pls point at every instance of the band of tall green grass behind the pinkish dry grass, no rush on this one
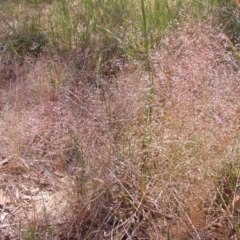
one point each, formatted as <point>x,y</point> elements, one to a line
<point>111,30</point>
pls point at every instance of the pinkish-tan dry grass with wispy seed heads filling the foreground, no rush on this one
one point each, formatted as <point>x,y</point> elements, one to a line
<point>80,161</point>
